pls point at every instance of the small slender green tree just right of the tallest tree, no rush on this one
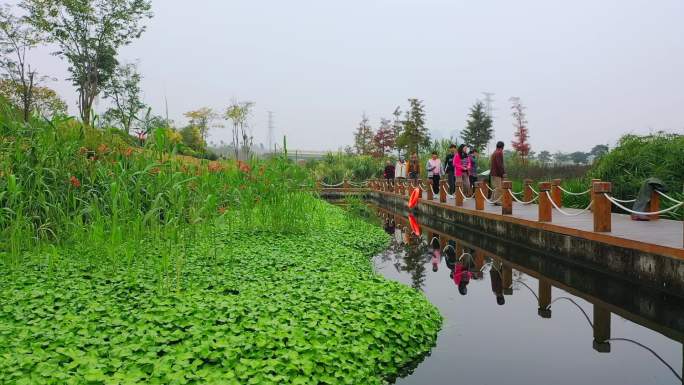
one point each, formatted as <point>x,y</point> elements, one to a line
<point>123,88</point>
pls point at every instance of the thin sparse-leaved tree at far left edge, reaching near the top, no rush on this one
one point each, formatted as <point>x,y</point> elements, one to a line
<point>16,40</point>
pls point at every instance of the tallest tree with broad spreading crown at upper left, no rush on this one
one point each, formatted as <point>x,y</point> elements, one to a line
<point>89,34</point>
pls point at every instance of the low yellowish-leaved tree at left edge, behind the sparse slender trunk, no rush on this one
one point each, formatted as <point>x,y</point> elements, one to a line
<point>44,101</point>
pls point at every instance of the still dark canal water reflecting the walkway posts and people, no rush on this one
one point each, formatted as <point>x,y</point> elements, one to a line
<point>514,317</point>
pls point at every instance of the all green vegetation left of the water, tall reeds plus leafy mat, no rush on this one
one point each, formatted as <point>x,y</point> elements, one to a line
<point>126,265</point>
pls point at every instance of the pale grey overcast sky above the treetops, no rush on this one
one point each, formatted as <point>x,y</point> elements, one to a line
<point>588,71</point>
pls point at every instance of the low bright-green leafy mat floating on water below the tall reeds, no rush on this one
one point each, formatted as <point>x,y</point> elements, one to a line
<point>234,307</point>
